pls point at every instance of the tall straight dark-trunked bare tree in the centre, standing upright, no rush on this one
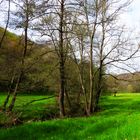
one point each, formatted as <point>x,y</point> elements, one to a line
<point>54,26</point>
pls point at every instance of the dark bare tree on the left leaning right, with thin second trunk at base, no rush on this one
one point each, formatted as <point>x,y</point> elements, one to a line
<point>24,15</point>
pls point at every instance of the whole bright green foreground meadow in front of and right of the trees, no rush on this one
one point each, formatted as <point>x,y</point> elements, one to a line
<point>119,119</point>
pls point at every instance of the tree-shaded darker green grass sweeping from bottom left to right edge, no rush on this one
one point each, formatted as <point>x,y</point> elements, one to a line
<point>112,116</point>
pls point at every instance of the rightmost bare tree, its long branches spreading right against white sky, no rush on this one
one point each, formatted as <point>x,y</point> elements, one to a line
<point>114,46</point>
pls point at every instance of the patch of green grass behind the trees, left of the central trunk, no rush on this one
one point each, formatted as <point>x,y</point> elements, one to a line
<point>34,111</point>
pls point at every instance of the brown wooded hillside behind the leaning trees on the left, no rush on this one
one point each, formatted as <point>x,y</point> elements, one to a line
<point>36,77</point>
